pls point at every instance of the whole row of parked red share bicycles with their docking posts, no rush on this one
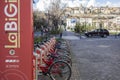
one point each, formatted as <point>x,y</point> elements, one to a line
<point>52,58</point>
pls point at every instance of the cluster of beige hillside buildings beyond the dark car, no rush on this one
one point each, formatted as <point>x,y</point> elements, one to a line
<point>107,17</point>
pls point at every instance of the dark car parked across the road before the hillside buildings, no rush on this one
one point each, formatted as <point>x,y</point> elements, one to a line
<point>98,32</point>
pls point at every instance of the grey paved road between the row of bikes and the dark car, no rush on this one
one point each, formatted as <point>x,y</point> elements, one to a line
<point>97,58</point>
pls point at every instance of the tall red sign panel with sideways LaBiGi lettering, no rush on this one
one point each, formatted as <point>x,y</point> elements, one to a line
<point>16,40</point>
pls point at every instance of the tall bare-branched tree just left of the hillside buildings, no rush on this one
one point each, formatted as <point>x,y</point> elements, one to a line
<point>56,11</point>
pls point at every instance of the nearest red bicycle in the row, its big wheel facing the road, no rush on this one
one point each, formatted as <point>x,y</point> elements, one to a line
<point>56,70</point>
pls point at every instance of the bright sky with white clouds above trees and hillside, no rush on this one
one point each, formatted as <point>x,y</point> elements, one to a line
<point>43,4</point>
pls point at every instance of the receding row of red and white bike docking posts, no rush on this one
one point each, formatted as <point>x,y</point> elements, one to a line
<point>40,54</point>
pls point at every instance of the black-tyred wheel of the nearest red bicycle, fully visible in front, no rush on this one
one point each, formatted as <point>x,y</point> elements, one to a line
<point>60,70</point>
